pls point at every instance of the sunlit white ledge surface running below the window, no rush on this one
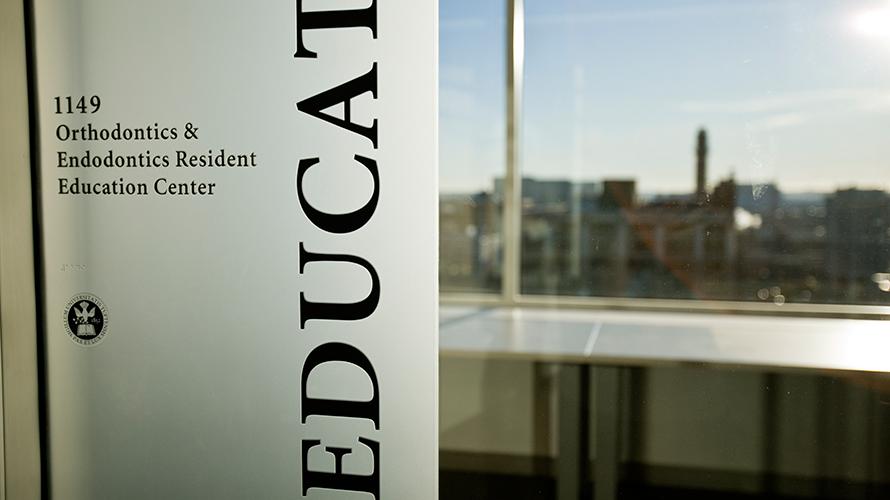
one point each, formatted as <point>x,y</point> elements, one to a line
<point>655,338</point>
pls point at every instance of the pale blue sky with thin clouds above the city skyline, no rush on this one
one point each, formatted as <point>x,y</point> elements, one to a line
<point>791,92</point>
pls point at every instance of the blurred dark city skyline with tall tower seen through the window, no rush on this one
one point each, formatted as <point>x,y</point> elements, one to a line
<point>720,241</point>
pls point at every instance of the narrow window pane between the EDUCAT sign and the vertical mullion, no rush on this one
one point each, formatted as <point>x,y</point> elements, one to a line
<point>472,99</point>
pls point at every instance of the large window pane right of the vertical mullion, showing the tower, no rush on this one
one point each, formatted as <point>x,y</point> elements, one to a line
<point>708,150</point>
